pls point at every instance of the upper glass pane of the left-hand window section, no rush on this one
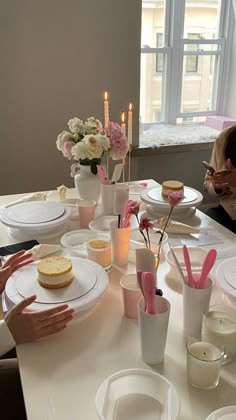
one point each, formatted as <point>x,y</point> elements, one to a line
<point>153,15</point>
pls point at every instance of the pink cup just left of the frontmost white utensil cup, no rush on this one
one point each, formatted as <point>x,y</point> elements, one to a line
<point>131,294</point>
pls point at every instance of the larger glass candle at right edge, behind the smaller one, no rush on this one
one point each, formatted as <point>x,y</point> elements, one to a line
<point>219,326</point>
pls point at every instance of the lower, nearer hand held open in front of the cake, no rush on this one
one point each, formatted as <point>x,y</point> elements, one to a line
<point>26,325</point>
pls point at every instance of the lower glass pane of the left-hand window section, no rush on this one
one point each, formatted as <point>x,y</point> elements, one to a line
<point>151,88</point>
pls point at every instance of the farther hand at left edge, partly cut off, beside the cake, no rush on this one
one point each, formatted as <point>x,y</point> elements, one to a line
<point>12,264</point>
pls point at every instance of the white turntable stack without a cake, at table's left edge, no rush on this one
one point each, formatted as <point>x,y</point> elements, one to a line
<point>36,219</point>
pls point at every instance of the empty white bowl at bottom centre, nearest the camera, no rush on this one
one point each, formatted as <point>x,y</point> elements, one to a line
<point>137,393</point>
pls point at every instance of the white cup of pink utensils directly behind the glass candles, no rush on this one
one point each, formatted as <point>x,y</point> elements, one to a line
<point>195,304</point>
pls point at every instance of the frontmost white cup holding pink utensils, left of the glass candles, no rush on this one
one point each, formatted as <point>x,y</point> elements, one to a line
<point>153,330</point>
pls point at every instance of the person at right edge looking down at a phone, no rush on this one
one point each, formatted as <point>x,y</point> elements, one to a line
<point>222,182</point>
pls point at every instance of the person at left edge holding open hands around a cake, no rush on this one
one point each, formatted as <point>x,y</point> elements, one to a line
<point>20,326</point>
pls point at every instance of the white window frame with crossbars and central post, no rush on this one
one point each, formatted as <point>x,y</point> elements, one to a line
<point>173,51</point>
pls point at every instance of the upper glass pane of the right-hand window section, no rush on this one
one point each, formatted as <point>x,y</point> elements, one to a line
<point>202,17</point>
